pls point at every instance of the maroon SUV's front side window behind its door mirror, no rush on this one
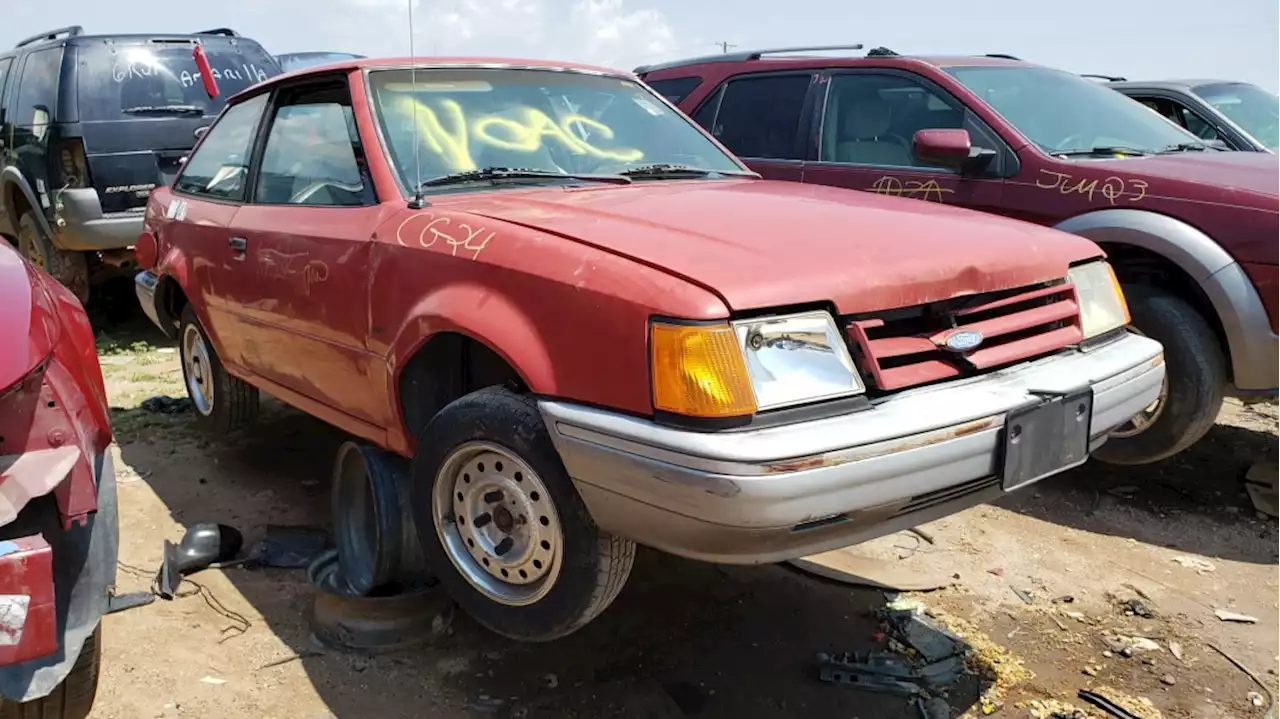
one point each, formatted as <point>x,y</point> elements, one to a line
<point>872,118</point>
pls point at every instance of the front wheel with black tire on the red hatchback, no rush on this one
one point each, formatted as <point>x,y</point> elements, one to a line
<point>502,525</point>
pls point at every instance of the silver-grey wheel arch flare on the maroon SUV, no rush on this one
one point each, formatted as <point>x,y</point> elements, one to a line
<point>1255,350</point>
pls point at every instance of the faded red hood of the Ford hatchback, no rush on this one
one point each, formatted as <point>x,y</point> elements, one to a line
<point>761,244</point>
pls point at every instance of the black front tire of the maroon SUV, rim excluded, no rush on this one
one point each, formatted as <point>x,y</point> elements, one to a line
<point>1196,375</point>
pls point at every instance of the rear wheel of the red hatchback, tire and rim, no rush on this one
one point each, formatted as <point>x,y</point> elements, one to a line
<point>221,401</point>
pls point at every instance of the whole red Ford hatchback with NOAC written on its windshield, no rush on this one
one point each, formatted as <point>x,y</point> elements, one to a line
<point>592,327</point>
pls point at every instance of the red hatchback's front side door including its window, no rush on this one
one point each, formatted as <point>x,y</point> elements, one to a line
<point>304,245</point>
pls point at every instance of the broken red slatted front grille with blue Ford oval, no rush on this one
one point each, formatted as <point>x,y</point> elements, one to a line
<point>903,349</point>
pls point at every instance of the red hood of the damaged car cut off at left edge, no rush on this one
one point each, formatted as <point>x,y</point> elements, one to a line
<point>28,322</point>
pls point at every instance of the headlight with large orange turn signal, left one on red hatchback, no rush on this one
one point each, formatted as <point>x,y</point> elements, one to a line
<point>751,365</point>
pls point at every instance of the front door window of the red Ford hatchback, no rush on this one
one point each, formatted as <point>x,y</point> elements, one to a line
<point>312,155</point>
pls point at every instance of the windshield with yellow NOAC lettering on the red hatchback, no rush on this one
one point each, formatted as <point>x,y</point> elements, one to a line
<point>548,121</point>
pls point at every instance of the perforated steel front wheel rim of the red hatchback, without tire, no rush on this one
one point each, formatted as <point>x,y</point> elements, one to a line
<point>497,524</point>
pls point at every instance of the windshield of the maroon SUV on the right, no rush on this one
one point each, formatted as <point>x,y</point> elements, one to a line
<point>1066,113</point>
